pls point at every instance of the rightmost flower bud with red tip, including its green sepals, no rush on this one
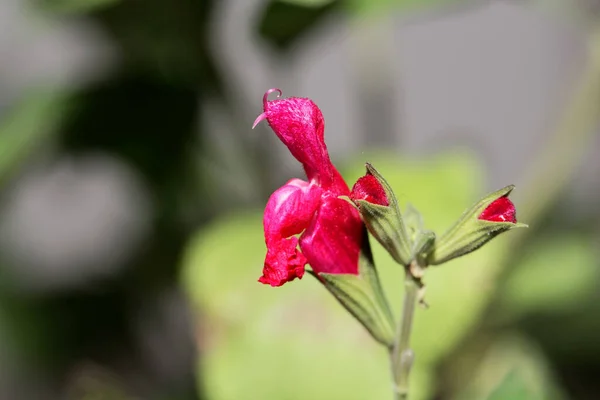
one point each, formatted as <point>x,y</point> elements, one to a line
<point>491,216</point>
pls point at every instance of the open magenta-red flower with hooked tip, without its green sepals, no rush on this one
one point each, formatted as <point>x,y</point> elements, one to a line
<point>330,228</point>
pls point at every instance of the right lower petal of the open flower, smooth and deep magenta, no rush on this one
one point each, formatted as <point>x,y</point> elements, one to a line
<point>332,242</point>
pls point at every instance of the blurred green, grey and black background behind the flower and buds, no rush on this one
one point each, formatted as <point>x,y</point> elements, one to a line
<point>132,190</point>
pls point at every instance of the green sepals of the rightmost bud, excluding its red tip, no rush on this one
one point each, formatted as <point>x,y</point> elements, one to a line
<point>470,233</point>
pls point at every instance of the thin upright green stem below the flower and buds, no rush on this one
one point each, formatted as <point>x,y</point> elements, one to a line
<point>401,354</point>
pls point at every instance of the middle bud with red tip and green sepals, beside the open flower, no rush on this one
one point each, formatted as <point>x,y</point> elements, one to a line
<point>379,209</point>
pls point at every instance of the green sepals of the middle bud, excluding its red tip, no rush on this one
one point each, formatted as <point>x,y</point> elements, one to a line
<point>385,222</point>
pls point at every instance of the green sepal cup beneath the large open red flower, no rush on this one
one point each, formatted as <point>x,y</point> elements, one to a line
<point>363,296</point>
